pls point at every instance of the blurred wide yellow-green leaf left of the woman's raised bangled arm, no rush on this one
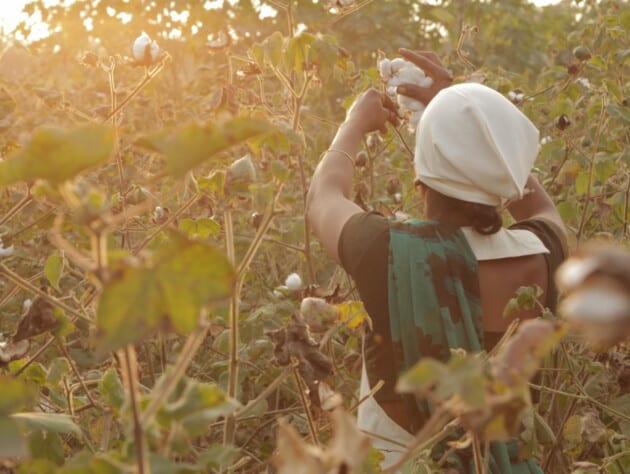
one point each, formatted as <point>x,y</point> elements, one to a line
<point>193,144</point>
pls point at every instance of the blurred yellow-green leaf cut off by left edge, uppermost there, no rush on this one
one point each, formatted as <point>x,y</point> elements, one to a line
<point>57,154</point>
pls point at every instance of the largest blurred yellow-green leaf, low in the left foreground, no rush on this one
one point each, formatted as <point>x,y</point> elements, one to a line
<point>182,277</point>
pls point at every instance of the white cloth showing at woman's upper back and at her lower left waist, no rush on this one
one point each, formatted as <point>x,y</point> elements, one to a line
<point>388,436</point>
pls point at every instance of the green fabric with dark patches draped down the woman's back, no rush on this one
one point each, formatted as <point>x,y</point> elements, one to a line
<point>434,305</point>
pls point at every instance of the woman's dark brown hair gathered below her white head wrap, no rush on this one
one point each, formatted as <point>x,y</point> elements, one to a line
<point>483,218</point>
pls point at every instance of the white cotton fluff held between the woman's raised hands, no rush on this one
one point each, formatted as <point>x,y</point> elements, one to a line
<point>398,71</point>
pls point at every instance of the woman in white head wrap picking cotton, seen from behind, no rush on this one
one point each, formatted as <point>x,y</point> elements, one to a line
<point>440,283</point>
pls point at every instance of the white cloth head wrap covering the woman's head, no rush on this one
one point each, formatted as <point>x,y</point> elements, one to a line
<point>473,144</point>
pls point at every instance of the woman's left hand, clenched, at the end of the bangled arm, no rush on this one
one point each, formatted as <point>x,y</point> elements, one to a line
<point>371,111</point>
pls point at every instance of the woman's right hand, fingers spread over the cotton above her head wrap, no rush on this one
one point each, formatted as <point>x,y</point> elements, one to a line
<point>432,67</point>
